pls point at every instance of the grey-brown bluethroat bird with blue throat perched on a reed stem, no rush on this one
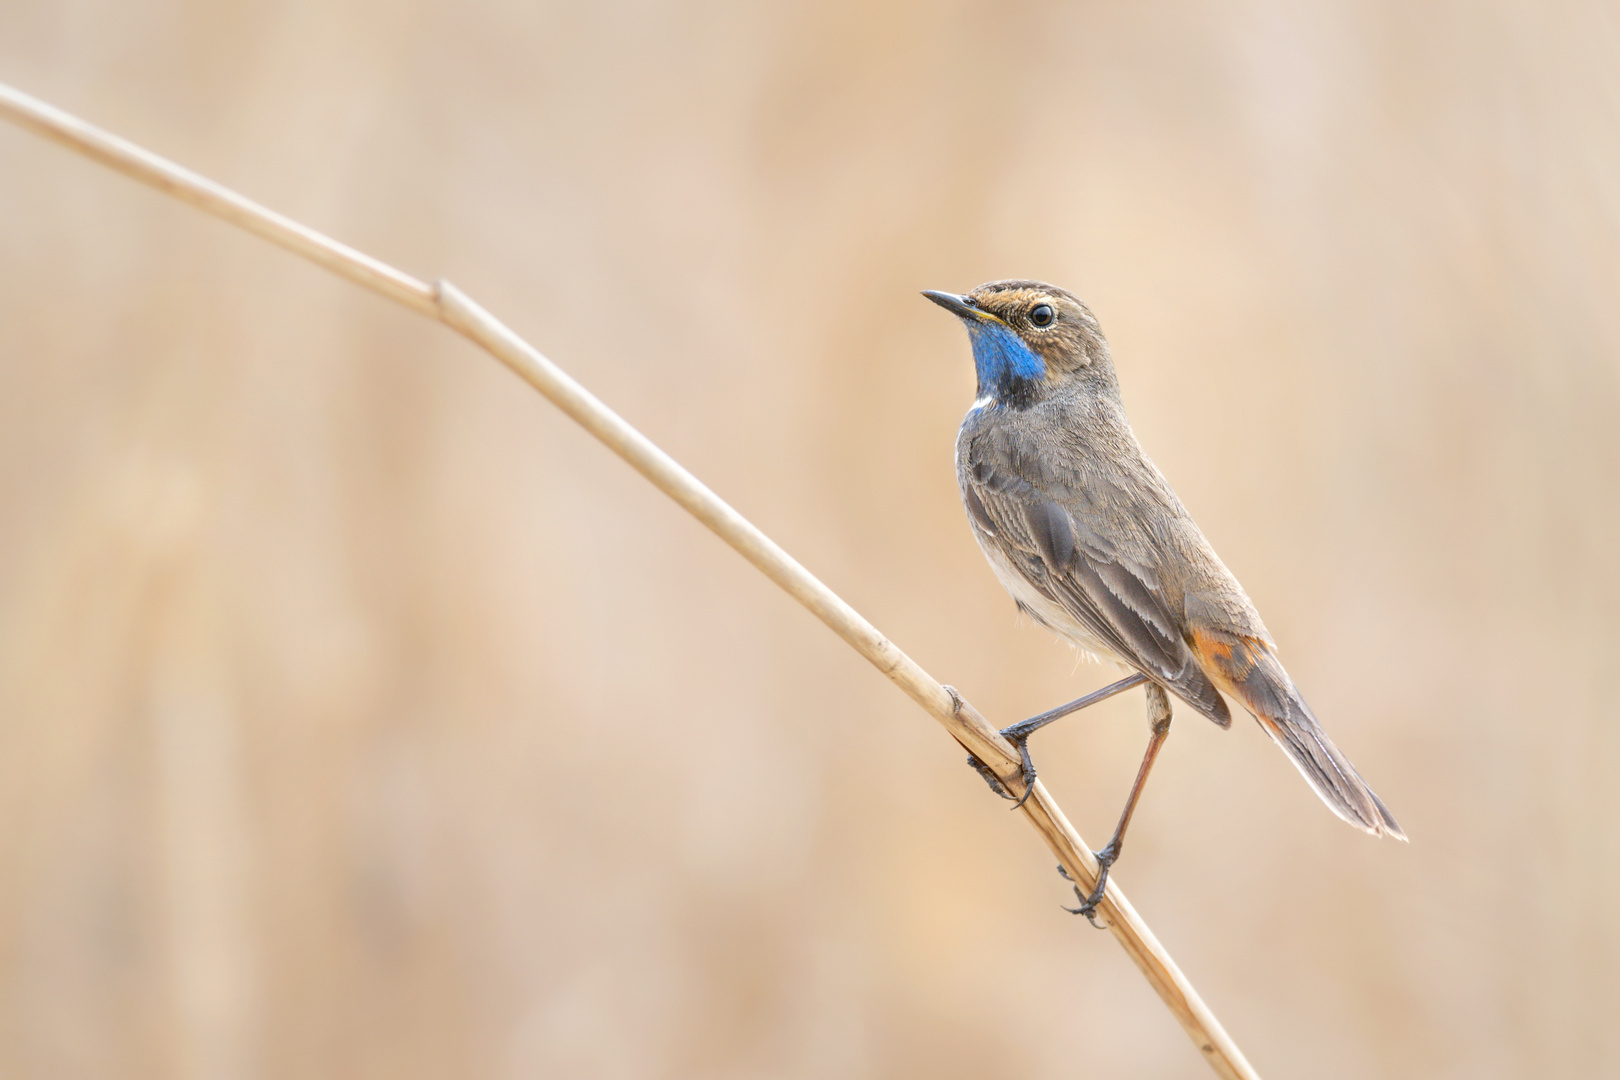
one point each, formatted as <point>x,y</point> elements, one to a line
<point>1091,542</point>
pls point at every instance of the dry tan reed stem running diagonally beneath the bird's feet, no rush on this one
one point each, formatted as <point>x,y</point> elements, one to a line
<point>454,308</point>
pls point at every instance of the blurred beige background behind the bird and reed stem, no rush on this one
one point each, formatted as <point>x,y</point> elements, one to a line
<point>362,718</point>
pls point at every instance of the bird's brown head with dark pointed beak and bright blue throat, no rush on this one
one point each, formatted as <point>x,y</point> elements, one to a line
<point>1030,339</point>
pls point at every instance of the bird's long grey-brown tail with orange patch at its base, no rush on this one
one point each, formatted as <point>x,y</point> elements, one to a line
<point>1250,671</point>
